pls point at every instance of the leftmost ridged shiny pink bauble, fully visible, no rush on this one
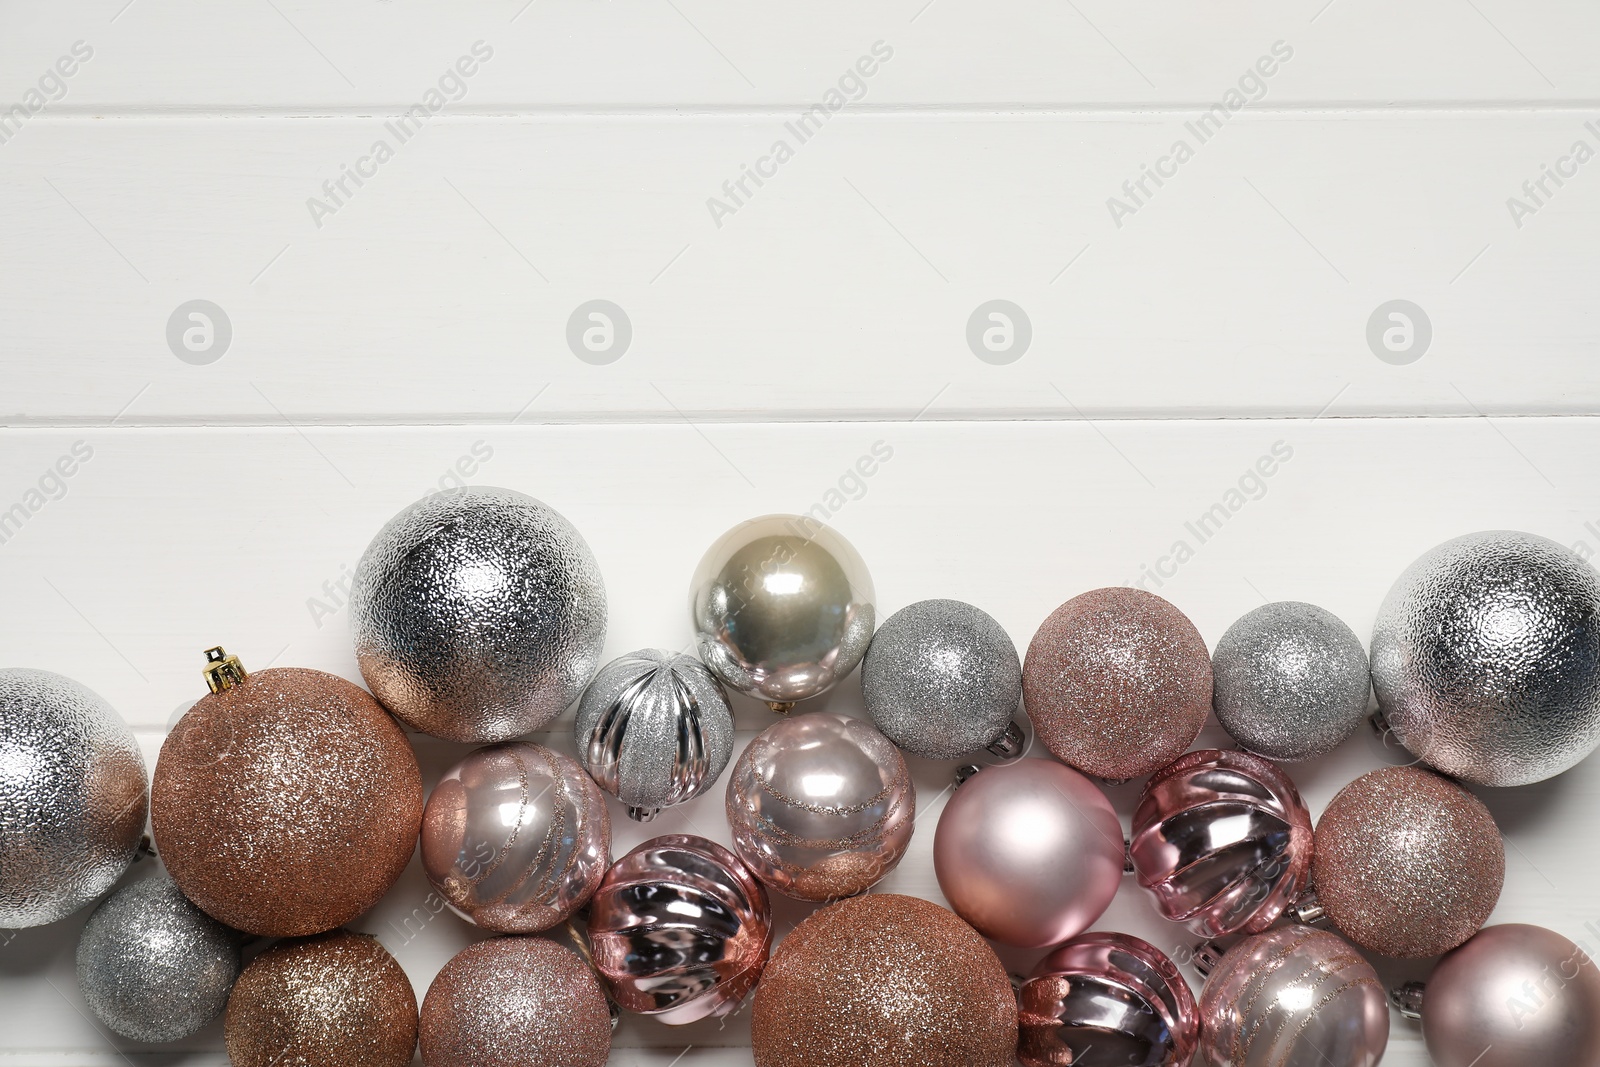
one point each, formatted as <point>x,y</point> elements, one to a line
<point>681,930</point>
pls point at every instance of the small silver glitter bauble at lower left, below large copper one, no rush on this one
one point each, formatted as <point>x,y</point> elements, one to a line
<point>153,967</point>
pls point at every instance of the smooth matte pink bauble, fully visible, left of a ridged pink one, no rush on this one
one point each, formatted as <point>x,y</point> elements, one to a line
<point>1030,853</point>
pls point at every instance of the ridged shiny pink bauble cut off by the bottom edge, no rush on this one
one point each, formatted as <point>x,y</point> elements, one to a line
<point>1108,999</point>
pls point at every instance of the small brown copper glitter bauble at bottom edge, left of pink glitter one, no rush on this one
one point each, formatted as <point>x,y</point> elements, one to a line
<point>338,1001</point>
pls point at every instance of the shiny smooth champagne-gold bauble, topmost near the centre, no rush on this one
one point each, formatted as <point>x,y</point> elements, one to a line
<point>782,609</point>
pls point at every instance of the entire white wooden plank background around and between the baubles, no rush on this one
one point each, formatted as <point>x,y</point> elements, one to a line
<point>423,327</point>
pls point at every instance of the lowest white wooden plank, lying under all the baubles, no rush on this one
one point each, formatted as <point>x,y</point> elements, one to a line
<point>166,541</point>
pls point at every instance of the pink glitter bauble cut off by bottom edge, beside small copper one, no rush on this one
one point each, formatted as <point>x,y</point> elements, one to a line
<point>516,1002</point>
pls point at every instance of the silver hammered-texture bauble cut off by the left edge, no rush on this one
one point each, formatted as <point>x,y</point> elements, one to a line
<point>73,797</point>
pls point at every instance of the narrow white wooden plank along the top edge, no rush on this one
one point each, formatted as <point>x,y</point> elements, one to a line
<point>644,54</point>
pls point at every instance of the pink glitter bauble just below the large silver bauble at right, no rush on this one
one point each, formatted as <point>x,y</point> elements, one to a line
<point>1407,863</point>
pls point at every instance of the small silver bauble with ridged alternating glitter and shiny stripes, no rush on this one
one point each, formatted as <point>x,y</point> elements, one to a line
<point>655,730</point>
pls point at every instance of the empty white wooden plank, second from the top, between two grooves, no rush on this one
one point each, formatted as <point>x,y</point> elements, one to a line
<point>447,286</point>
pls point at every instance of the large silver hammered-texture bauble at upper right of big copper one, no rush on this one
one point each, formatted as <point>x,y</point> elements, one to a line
<point>479,615</point>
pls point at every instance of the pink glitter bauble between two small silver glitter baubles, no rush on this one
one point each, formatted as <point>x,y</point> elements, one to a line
<point>1118,682</point>
